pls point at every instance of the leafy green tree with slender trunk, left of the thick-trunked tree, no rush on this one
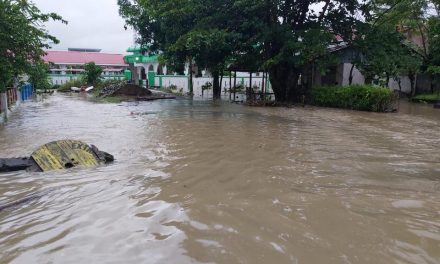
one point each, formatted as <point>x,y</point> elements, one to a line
<point>184,32</point>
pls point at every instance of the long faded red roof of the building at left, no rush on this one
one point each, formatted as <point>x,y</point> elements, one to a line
<point>75,57</point>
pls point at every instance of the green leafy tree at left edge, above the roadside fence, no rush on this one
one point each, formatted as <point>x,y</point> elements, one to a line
<point>22,38</point>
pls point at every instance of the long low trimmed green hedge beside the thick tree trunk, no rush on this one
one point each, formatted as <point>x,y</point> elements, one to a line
<point>355,97</point>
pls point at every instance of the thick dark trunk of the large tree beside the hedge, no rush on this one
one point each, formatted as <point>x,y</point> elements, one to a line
<point>284,80</point>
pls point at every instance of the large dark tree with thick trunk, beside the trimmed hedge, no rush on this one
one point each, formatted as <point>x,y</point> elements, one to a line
<point>295,36</point>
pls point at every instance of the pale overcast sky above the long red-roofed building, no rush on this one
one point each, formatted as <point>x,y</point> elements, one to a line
<point>92,24</point>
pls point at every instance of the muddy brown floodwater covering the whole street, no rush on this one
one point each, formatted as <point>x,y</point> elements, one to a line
<point>201,183</point>
